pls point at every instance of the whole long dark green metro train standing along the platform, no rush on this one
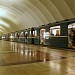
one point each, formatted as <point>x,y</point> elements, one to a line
<point>58,34</point>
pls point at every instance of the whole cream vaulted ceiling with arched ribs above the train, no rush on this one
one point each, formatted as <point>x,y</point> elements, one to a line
<point>21,14</point>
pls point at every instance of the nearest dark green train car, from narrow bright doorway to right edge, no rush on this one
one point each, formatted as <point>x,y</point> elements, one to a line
<point>57,34</point>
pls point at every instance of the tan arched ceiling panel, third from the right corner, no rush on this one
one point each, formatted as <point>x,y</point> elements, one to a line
<point>52,9</point>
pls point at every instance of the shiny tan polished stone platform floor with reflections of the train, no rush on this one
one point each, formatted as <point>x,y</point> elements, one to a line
<point>25,59</point>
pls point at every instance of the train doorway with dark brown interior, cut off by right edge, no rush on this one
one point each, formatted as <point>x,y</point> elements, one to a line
<point>71,35</point>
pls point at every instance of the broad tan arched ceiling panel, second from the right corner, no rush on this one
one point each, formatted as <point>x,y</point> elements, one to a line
<point>63,8</point>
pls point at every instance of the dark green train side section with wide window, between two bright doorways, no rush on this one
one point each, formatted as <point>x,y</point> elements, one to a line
<point>58,34</point>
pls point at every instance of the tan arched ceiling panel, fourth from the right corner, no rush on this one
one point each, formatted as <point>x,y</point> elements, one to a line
<point>44,11</point>
